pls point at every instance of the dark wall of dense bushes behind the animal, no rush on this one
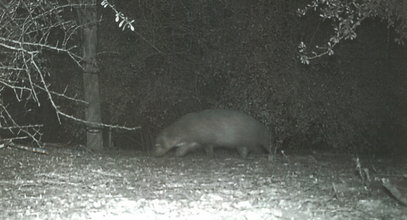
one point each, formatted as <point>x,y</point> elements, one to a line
<point>191,55</point>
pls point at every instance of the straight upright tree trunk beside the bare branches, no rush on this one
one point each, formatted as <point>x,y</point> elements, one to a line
<point>88,18</point>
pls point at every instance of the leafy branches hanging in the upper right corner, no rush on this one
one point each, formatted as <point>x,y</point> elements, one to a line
<point>347,16</point>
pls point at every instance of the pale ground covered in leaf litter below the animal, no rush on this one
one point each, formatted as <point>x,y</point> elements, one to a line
<point>72,183</point>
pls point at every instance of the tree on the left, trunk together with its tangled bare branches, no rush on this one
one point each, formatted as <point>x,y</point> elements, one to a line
<point>30,31</point>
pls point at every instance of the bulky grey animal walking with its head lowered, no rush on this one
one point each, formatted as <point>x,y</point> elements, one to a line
<point>214,128</point>
